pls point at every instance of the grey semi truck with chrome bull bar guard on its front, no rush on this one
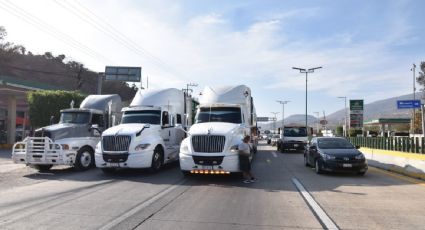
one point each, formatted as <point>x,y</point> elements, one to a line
<point>72,141</point>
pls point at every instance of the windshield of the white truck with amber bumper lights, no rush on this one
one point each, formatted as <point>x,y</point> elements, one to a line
<point>219,114</point>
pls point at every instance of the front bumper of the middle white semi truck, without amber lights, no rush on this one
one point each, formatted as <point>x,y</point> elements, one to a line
<point>124,160</point>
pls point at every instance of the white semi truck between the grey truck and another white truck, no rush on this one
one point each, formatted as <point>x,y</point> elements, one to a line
<point>150,132</point>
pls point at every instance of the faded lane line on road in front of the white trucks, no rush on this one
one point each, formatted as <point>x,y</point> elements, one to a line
<point>139,207</point>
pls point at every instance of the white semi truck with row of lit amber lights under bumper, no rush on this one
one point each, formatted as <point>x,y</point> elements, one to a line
<point>224,116</point>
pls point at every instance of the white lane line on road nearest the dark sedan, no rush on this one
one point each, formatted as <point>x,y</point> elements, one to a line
<point>324,218</point>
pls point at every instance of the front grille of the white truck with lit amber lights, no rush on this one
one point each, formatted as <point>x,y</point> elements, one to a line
<point>208,143</point>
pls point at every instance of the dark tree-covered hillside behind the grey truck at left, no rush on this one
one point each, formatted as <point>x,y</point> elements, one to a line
<point>57,71</point>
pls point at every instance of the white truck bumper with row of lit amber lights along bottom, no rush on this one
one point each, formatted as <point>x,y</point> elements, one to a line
<point>210,164</point>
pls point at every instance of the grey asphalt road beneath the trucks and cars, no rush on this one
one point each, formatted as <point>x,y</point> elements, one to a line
<point>287,196</point>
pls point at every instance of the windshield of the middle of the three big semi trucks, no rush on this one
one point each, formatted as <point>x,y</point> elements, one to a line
<point>142,116</point>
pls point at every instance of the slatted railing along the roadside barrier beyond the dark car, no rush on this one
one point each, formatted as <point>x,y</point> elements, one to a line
<point>402,144</point>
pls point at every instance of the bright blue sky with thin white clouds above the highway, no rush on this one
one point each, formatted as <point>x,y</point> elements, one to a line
<point>366,48</point>
